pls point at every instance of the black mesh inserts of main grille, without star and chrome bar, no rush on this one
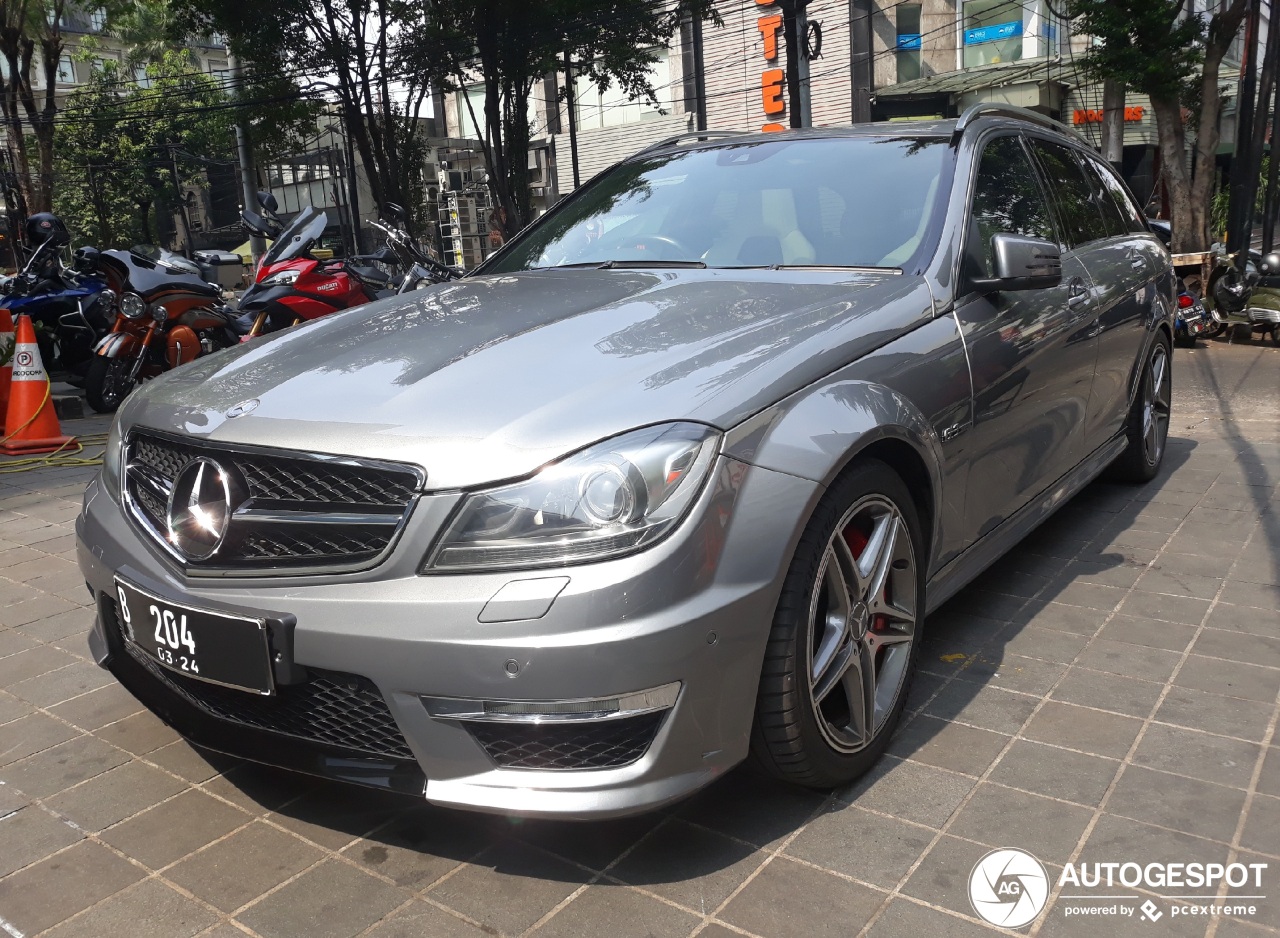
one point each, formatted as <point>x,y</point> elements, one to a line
<point>286,483</point>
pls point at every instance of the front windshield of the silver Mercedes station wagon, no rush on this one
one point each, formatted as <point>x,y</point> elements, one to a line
<point>833,203</point>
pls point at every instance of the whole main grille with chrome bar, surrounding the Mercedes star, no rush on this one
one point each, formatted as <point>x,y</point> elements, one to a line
<point>326,514</point>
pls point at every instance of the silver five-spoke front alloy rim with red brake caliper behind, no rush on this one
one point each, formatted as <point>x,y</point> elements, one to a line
<point>862,624</point>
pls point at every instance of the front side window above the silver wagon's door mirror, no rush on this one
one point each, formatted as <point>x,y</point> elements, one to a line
<point>1007,198</point>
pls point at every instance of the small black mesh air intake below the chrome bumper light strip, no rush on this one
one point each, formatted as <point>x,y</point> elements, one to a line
<point>593,745</point>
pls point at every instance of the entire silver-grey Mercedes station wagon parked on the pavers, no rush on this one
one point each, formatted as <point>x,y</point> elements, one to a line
<point>673,481</point>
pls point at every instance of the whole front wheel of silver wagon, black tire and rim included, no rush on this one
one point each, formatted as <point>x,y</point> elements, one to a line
<point>838,623</point>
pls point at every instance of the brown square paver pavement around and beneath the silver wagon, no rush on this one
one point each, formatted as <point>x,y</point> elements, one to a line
<point>1109,692</point>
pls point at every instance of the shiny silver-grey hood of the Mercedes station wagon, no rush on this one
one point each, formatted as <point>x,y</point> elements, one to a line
<point>490,378</point>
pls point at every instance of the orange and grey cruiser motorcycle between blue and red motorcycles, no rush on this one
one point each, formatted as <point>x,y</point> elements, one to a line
<point>166,315</point>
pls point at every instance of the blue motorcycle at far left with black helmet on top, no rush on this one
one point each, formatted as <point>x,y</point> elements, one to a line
<point>70,308</point>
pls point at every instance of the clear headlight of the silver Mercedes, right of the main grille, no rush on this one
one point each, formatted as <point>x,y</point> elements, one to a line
<point>611,500</point>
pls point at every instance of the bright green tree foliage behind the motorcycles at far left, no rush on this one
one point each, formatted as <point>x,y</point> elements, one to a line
<point>117,141</point>
